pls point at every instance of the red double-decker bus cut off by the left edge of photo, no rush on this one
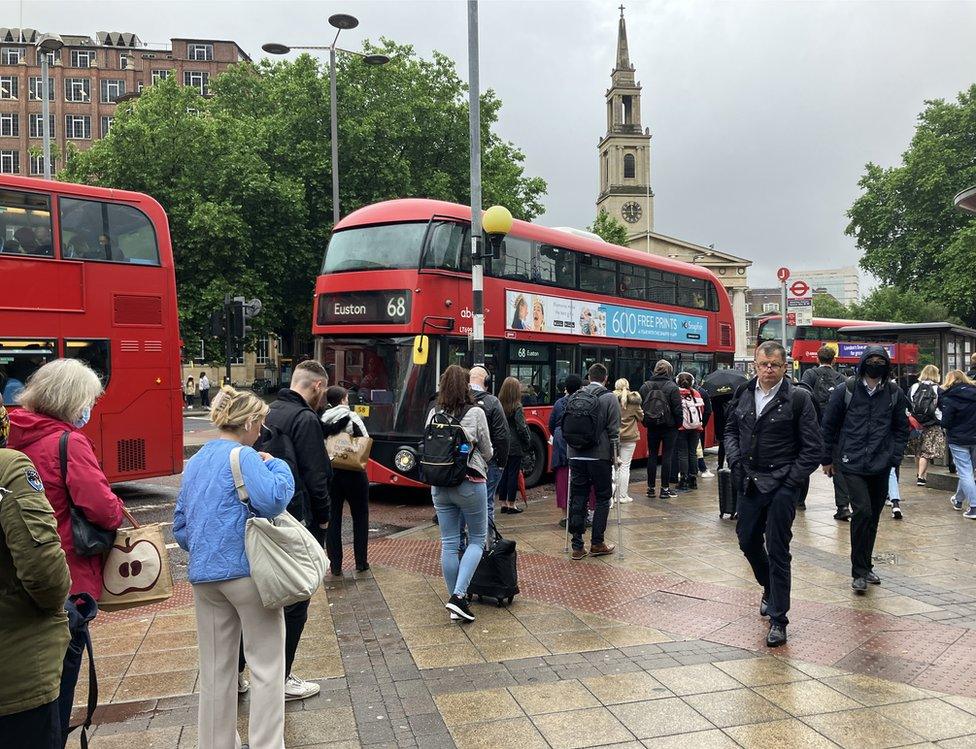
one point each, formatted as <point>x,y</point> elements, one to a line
<point>88,274</point>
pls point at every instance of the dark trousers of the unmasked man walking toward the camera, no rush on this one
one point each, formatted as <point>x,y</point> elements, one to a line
<point>765,529</point>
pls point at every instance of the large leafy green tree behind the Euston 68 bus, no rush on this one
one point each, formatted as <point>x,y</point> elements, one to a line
<point>245,174</point>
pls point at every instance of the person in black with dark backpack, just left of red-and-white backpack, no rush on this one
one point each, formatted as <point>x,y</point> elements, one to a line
<point>661,403</point>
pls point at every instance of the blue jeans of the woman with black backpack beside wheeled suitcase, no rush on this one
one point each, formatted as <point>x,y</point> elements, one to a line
<point>450,502</point>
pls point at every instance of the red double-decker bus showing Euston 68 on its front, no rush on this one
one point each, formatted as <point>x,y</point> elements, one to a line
<point>555,302</point>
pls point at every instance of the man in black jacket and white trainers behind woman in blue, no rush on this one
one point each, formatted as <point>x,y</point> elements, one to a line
<point>301,443</point>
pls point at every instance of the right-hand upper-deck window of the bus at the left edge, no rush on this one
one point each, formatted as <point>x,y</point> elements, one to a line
<point>93,230</point>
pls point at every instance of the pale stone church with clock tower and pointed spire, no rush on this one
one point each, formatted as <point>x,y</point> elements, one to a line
<point>626,193</point>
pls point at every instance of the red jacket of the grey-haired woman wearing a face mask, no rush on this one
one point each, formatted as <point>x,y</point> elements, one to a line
<point>38,436</point>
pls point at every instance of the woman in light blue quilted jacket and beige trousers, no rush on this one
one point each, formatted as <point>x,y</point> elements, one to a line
<point>209,524</point>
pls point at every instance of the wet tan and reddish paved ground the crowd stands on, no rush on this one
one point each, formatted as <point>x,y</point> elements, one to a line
<point>658,646</point>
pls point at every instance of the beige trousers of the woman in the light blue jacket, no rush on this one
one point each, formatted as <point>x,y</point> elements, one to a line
<point>223,610</point>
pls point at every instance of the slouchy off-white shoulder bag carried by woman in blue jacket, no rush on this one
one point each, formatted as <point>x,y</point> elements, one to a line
<point>287,564</point>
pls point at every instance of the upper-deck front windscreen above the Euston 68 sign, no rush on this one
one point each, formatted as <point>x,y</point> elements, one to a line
<point>375,247</point>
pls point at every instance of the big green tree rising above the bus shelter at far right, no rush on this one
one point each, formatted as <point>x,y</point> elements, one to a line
<point>904,221</point>
